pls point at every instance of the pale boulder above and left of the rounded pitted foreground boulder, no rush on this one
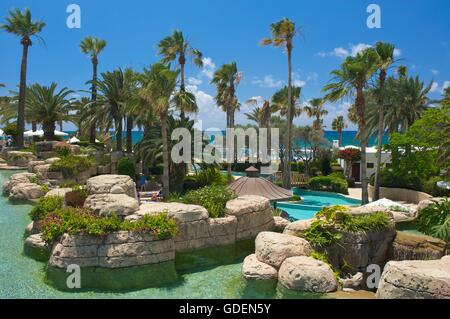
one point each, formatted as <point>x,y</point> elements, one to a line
<point>273,248</point>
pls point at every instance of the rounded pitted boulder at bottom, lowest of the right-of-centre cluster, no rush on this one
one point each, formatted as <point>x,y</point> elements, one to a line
<point>307,274</point>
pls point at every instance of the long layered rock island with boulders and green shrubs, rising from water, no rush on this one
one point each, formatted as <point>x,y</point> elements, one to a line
<point>111,231</point>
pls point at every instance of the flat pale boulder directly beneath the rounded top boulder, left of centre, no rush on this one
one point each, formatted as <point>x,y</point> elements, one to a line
<point>108,204</point>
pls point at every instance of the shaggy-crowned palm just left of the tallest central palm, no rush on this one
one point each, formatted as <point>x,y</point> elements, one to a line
<point>226,78</point>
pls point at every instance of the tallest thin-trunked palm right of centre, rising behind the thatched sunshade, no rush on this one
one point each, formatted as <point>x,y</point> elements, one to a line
<point>283,33</point>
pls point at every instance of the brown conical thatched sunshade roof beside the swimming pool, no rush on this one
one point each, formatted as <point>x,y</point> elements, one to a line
<point>254,185</point>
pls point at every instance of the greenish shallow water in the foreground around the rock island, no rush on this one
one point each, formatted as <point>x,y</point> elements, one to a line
<point>23,277</point>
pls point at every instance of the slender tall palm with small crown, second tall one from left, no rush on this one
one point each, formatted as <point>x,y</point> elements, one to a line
<point>93,47</point>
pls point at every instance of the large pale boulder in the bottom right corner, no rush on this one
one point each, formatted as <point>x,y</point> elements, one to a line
<point>415,279</point>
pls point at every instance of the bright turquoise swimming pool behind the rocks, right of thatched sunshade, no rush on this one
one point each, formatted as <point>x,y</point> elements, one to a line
<point>312,202</point>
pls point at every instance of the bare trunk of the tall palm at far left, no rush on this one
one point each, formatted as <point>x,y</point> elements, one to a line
<point>22,94</point>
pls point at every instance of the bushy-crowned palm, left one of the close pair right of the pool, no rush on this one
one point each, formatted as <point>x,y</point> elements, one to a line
<point>353,79</point>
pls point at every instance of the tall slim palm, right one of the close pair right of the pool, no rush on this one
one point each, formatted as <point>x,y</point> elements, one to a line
<point>385,53</point>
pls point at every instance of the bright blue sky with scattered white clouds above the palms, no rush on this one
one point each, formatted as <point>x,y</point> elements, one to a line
<point>230,31</point>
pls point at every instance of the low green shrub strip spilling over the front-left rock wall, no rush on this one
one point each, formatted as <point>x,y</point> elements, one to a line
<point>83,221</point>
